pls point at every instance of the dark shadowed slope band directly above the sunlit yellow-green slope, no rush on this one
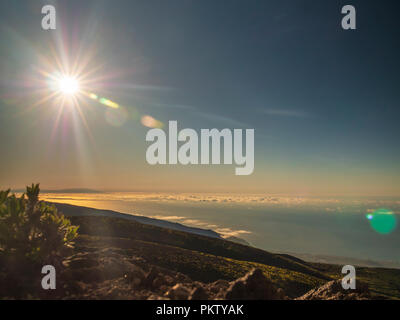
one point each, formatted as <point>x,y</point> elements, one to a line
<point>120,228</point>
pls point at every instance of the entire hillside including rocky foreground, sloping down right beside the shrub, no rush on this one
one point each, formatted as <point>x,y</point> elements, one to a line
<point>117,257</point>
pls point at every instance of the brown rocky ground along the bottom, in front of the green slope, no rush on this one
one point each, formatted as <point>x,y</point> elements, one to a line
<point>107,274</point>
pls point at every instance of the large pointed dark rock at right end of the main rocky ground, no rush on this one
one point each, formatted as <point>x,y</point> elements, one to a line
<point>253,286</point>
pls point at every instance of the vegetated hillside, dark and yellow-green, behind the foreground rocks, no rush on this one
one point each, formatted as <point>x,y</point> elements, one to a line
<point>206,259</point>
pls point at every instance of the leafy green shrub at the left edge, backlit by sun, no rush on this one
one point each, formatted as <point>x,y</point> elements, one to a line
<point>32,234</point>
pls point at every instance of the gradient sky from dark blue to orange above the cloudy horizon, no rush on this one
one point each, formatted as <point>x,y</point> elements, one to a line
<point>324,102</point>
